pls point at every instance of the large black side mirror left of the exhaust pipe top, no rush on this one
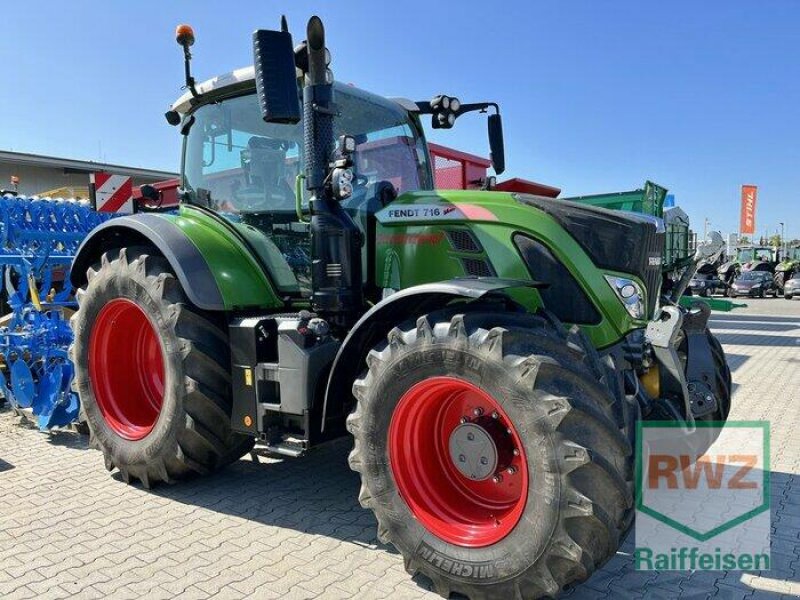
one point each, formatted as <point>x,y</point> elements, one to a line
<point>276,81</point>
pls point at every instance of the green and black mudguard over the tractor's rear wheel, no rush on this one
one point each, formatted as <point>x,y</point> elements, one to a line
<point>217,269</point>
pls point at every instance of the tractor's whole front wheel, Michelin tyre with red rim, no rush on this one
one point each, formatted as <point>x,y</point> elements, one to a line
<point>555,500</point>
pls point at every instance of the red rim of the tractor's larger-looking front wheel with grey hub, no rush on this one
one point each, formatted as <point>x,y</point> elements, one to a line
<point>435,475</point>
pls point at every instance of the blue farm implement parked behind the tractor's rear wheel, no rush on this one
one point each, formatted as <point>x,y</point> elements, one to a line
<point>40,237</point>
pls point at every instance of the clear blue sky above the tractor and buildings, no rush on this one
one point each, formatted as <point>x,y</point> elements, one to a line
<point>700,97</point>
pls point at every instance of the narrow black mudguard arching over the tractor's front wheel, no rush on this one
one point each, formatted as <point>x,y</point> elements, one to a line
<point>381,318</point>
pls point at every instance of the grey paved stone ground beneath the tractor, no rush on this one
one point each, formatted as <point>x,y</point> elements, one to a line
<point>293,529</point>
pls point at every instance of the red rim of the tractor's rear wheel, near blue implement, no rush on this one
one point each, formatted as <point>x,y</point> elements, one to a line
<point>126,369</point>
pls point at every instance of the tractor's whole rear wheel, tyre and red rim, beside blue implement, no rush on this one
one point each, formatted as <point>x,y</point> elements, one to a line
<point>134,318</point>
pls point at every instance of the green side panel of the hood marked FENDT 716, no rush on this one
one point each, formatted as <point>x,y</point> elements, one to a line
<point>416,244</point>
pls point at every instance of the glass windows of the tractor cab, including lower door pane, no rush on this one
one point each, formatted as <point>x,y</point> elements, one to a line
<point>246,169</point>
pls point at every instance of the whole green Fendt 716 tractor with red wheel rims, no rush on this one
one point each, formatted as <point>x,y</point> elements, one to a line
<point>490,352</point>
